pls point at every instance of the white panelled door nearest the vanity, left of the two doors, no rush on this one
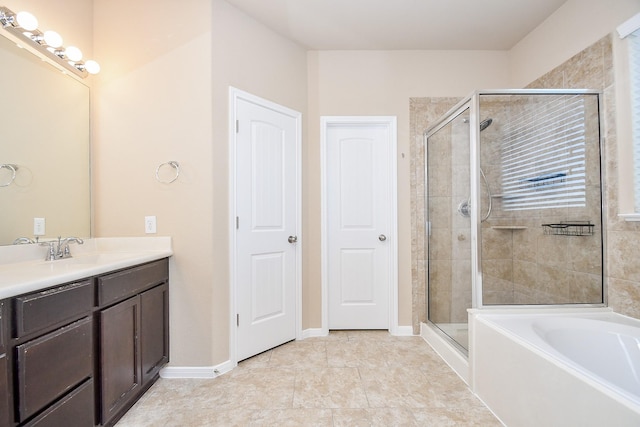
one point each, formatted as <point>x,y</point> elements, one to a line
<point>267,210</point>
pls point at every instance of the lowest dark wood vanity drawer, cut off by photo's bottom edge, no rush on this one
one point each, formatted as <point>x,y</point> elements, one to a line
<point>74,410</point>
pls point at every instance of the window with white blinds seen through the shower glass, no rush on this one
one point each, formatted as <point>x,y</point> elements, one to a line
<point>543,155</point>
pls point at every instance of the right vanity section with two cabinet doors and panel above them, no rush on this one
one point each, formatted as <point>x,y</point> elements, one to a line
<point>134,335</point>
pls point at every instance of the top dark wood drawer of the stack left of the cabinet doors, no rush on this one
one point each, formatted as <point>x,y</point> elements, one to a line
<point>47,308</point>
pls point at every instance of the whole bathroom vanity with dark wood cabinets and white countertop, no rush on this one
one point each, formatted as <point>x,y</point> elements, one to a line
<point>81,351</point>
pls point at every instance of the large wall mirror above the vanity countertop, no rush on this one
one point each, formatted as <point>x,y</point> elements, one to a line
<point>45,137</point>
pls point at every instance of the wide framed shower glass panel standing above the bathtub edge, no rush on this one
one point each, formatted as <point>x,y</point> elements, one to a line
<point>541,201</point>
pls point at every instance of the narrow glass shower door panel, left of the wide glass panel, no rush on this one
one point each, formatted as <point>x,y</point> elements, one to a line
<point>449,242</point>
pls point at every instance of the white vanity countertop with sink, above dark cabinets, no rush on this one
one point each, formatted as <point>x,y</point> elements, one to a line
<point>23,268</point>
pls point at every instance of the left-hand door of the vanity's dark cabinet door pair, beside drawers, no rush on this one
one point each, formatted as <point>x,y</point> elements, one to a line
<point>120,356</point>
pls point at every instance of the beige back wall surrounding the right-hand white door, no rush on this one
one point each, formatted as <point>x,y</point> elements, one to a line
<point>381,83</point>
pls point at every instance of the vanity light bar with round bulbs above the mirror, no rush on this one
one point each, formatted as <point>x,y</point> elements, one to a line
<point>36,39</point>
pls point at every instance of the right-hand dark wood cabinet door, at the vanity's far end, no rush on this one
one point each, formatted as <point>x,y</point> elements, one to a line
<point>154,330</point>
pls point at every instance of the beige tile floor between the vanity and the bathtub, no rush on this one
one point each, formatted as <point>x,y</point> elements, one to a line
<point>350,378</point>
